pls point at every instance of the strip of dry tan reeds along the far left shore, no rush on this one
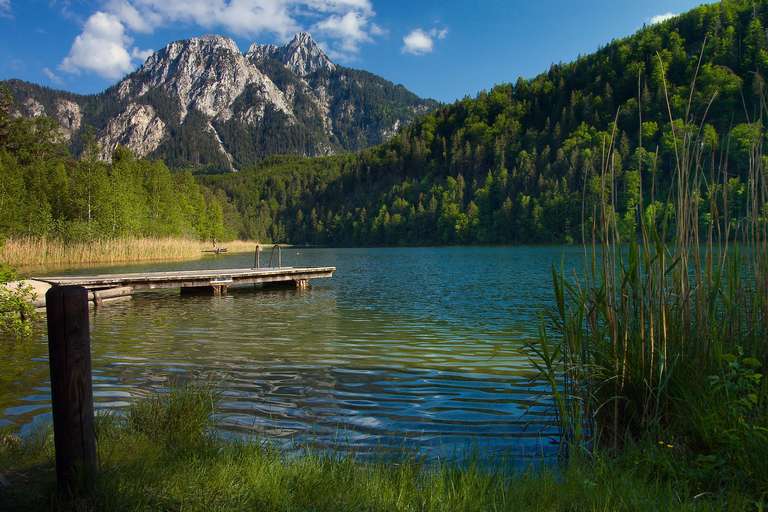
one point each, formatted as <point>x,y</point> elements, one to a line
<point>30,252</point>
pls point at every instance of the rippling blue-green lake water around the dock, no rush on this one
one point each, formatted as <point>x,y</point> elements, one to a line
<point>404,348</point>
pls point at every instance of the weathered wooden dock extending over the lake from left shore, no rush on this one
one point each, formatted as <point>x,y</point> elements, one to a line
<point>213,282</point>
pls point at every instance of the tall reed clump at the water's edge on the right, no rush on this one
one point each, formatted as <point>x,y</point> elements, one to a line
<point>662,340</point>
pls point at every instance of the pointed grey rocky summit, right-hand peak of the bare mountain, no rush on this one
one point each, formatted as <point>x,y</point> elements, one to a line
<point>302,55</point>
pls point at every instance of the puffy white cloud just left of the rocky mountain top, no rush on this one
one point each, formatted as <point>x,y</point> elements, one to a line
<point>101,48</point>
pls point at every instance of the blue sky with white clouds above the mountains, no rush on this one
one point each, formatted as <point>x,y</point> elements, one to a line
<point>442,49</point>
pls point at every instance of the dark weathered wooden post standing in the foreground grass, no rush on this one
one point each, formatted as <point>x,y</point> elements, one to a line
<point>69,349</point>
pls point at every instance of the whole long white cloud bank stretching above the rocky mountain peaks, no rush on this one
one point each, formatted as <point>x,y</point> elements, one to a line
<point>105,46</point>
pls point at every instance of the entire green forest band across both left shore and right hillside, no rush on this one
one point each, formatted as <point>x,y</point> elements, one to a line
<point>516,164</point>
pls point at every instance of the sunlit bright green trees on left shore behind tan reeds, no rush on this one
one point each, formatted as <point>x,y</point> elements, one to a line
<point>47,193</point>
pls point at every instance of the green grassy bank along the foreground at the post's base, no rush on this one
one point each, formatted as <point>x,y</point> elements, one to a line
<point>161,456</point>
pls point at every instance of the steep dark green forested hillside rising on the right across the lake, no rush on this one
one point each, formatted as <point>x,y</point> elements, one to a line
<point>520,163</point>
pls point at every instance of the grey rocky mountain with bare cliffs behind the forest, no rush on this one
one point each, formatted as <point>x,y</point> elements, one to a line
<point>201,102</point>
